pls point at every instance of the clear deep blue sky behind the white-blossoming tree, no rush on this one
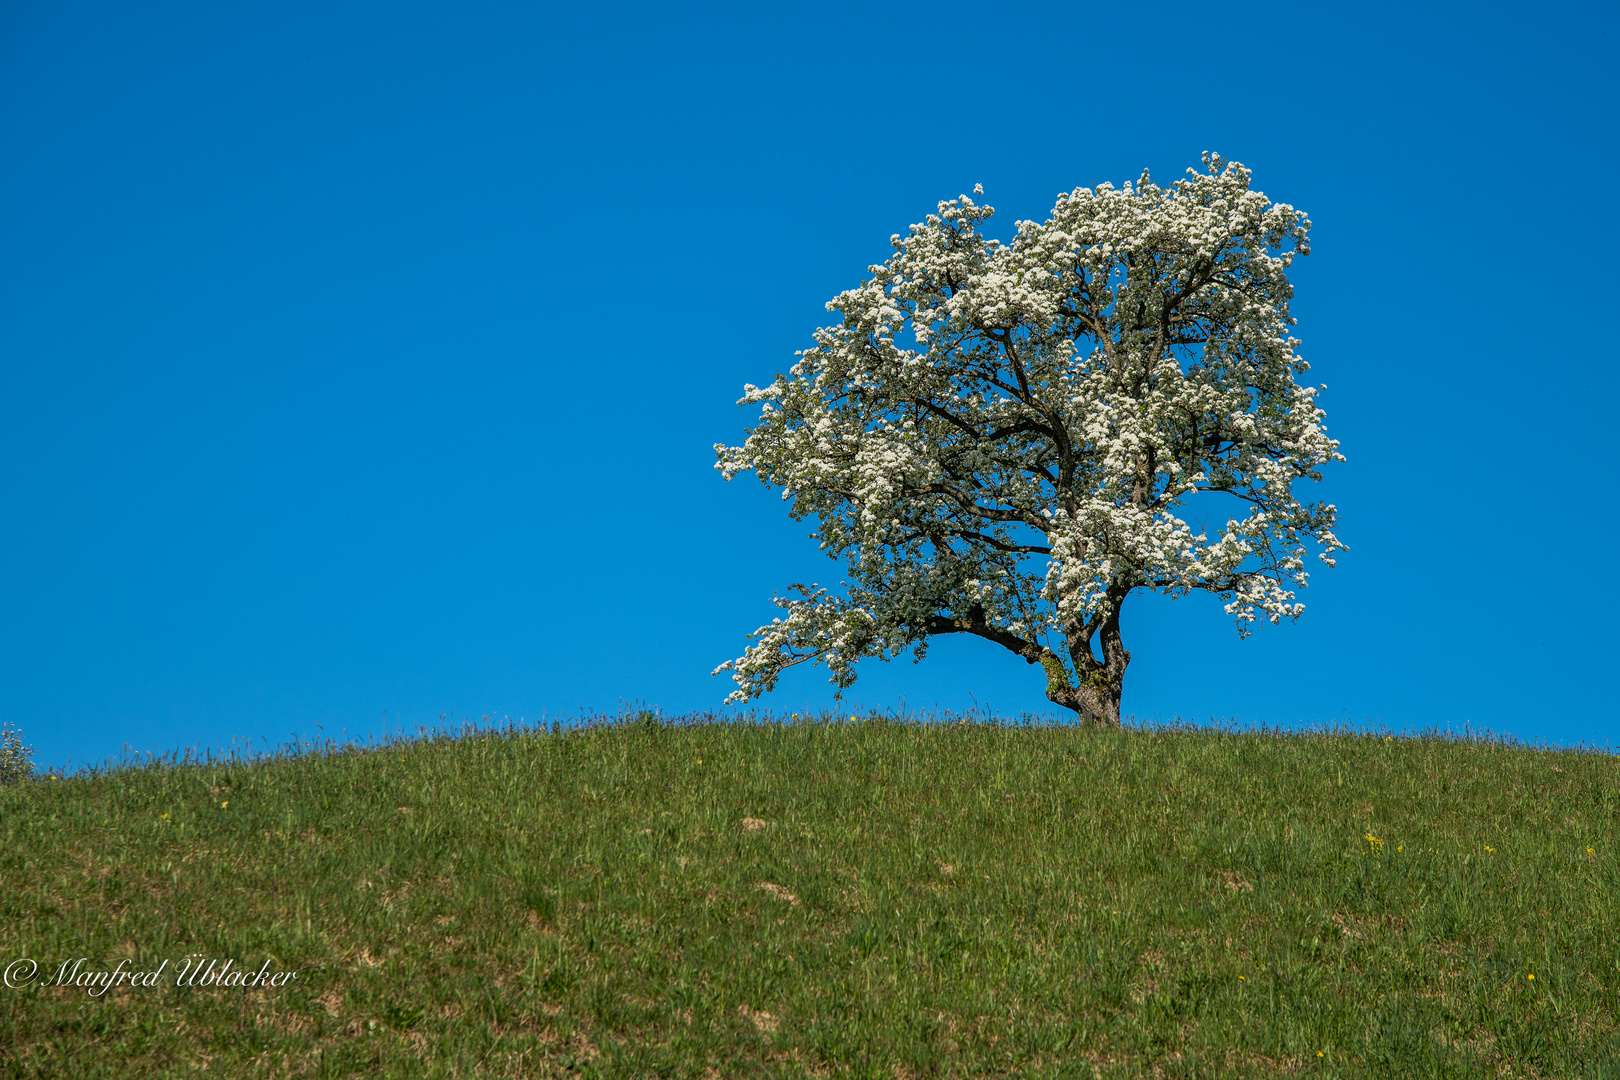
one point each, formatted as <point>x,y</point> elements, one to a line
<point>362,364</point>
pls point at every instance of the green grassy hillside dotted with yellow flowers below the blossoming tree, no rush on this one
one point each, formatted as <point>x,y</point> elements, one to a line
<point>876,899</point>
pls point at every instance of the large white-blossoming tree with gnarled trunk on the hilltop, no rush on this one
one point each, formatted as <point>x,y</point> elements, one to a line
<point>1010,440</point>
